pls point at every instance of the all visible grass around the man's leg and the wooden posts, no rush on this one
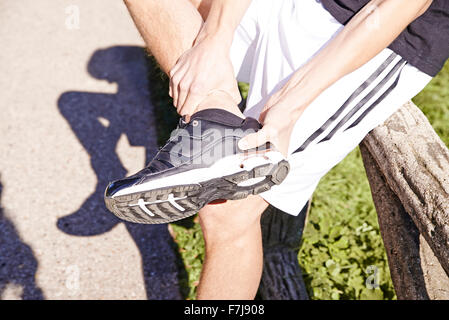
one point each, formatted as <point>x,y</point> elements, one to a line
<point>342,247</point>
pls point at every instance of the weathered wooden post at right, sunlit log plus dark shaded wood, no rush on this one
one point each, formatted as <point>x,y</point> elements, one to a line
<point>408,169</point>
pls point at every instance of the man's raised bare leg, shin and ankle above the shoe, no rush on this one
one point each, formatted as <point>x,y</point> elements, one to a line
<point>169,28</point>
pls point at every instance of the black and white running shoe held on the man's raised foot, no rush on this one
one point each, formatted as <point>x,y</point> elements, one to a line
<point>200,163</point>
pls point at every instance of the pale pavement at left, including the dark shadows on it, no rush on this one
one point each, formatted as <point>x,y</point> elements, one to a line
<point>75,113</point>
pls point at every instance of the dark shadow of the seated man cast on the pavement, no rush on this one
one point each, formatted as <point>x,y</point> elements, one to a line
<point>99,120</point>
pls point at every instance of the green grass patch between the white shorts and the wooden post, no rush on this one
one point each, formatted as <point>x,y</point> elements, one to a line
<point>341,239</point>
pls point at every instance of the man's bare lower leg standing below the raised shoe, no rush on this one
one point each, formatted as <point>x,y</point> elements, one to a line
<point>234,257</point>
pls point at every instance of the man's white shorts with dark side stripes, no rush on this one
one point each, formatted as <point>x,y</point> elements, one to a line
<point>276,37</point>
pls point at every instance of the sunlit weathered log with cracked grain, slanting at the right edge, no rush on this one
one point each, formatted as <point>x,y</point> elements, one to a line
<point>415,164</point>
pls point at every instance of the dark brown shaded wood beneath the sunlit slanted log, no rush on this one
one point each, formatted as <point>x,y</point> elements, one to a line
<point>411,267</point>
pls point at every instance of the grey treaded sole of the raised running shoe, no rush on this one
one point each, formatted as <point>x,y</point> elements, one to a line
<point>178,202</point>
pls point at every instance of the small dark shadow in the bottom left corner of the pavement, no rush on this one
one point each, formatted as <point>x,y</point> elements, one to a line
<point>17,262</point>
